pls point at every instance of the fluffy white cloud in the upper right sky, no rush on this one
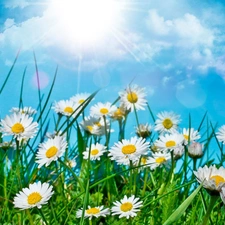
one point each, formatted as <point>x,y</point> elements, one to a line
<point>185,31</point>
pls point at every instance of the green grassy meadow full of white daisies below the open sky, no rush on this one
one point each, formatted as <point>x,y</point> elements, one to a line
<point>61,163</point>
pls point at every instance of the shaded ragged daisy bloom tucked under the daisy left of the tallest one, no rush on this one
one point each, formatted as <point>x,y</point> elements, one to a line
<point>95,126</point>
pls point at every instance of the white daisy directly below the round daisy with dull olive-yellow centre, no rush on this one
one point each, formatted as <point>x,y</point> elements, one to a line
<point>169,141</point>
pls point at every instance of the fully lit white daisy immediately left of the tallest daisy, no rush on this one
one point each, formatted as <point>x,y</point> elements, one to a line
<point>101,109</point>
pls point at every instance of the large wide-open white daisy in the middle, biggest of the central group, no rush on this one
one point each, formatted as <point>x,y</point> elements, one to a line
<point>129,150</point>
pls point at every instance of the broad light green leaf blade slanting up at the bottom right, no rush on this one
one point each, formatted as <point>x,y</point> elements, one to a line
<point>181,209</point>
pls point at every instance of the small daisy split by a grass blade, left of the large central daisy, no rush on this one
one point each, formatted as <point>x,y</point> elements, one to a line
<point>96,151</point>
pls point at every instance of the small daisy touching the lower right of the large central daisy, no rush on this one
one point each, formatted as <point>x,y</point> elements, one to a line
<point>158,160</point>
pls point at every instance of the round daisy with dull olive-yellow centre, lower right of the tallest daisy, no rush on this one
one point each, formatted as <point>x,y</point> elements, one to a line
<point>167,122</point>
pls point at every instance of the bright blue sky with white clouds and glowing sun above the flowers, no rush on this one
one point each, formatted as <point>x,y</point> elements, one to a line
<point>174,48</point>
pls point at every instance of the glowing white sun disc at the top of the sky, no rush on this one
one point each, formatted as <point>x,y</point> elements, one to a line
<point>84,21</point>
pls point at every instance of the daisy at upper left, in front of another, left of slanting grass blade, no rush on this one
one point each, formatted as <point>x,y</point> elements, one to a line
<point>65,107</point>
